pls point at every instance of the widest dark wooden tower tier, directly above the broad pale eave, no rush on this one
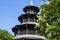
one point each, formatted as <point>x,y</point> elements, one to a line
<point>25,29</point>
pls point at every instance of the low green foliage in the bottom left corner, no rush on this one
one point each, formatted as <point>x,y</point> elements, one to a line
<point>4,35</point>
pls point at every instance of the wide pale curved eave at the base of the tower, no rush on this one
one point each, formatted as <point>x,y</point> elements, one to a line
<point>29,37</point>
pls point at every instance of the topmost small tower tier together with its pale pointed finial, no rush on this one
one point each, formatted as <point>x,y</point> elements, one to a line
<point>31,9</point>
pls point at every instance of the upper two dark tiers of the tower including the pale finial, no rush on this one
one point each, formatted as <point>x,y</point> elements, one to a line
<point>31,13</point>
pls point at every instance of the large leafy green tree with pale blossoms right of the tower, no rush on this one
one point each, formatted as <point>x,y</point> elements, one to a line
<point>49,20</point>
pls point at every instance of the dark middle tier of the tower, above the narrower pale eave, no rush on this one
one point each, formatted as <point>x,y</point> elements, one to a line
<point>28,18</point>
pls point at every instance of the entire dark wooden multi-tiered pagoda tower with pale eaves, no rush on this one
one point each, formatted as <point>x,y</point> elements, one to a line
<point>26,30</point>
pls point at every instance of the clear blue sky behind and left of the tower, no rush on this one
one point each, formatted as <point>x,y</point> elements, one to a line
<point>10,10</point>
